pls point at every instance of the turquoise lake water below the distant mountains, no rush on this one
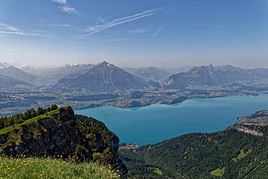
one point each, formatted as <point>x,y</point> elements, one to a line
<point>154,123</point>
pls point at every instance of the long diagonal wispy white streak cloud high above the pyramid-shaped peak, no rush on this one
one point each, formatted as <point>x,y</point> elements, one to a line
<point>122,20</point>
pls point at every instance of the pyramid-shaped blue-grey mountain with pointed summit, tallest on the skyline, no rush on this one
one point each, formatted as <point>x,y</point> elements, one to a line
<point>102,77</point>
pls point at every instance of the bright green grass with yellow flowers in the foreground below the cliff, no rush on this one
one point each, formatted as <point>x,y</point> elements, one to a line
<point>32,168</point>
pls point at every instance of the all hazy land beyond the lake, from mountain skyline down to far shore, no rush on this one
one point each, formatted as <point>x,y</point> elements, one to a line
<point>90,85</point>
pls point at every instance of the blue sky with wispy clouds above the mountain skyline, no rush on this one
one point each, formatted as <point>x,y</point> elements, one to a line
<point>134,33</point>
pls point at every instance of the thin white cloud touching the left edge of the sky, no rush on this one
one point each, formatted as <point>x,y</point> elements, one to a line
<point>11,30</point>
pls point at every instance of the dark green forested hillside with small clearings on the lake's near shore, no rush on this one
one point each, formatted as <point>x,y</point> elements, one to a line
<point>240,151</point>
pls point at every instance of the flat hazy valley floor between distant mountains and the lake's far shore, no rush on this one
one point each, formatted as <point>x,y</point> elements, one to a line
<point>12,102</point>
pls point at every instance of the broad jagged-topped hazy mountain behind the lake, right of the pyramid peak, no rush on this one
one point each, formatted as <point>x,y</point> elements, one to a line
<point>214,76</point>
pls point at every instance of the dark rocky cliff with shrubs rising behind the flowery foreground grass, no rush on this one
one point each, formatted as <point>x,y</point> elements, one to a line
<point>64,134</point>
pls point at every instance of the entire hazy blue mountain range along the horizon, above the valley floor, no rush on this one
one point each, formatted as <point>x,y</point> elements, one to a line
<point>105,77</point>
